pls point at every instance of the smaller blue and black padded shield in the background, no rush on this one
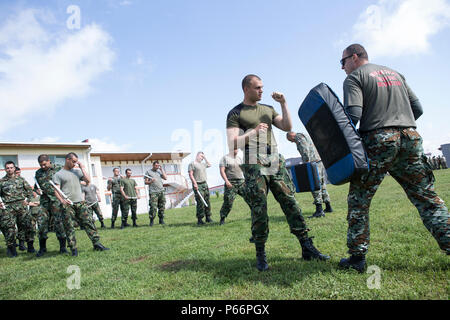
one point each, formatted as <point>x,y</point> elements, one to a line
<point>306,177</point>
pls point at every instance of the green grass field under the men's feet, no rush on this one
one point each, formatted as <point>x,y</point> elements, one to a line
<point>183,261</point>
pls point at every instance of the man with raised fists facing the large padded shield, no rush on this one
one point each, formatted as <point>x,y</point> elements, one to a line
<point>249,127</point>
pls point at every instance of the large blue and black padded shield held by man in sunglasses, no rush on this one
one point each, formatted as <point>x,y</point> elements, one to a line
<point>334,135</point>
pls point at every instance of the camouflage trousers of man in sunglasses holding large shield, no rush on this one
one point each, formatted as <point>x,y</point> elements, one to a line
<point>397,151</point>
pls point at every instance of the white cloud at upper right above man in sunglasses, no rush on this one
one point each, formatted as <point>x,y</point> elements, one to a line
<point>398,27</point>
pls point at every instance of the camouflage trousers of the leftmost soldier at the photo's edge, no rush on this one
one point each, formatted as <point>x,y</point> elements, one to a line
<point>16,213</point>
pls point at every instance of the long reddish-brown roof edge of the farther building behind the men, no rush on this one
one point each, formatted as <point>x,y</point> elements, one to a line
<point>148,156</point>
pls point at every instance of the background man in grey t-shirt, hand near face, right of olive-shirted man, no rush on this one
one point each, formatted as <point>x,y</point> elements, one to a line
<point>157,197</point>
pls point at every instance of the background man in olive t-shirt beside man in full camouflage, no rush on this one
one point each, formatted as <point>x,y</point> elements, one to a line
<point>130,193</point>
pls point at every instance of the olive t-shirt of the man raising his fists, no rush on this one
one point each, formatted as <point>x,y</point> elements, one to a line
<point>246,118</point>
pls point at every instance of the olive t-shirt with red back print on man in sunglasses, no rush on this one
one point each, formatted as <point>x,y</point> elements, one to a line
<point>383,95</point>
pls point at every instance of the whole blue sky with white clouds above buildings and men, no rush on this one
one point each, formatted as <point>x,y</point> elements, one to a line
<point>152,76</point>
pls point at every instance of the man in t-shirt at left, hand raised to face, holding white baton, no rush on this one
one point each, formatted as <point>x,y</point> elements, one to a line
<point>68,180</point>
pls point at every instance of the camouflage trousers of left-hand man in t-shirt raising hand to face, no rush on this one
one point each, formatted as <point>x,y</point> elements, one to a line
<point>79,213</point>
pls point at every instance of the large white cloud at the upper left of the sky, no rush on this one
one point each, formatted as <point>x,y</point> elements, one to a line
<point>40,69</point>
